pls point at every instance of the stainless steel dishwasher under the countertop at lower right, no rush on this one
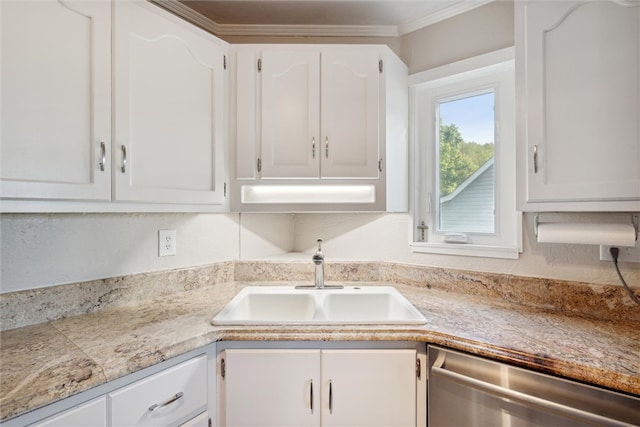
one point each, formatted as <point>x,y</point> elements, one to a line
<point>466,390</point>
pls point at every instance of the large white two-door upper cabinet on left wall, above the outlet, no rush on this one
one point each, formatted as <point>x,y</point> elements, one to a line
<point>60,72</point>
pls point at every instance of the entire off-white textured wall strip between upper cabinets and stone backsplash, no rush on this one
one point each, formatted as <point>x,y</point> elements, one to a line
<point>39,250</point>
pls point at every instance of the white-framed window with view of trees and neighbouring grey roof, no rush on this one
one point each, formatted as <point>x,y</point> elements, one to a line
<point>463,133</point>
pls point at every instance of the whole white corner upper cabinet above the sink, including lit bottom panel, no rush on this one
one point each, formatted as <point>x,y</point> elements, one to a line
<point>319,127</point>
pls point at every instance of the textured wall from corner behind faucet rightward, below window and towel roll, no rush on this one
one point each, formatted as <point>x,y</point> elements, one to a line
<point>386,237</point>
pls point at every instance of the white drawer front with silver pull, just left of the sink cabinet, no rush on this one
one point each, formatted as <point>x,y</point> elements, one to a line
<point>164,399</point>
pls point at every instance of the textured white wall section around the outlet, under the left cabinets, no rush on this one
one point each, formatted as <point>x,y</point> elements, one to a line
<point>49,249</point>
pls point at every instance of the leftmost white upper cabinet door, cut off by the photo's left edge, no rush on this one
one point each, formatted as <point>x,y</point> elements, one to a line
<point>55,113</point>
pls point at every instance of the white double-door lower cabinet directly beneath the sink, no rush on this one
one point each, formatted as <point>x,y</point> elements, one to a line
<point>318,387</point>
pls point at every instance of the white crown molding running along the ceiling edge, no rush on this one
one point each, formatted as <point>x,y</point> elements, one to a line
<point>406,27</point>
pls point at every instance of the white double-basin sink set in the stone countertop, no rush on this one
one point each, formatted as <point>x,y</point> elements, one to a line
<point>287,305</point>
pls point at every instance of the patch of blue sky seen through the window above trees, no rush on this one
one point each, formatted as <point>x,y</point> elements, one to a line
<point>473,115</point>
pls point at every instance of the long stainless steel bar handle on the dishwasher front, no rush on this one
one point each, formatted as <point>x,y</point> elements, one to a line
<point>439,368</point>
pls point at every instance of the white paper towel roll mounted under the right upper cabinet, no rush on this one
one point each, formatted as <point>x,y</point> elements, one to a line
<point>588,234</point>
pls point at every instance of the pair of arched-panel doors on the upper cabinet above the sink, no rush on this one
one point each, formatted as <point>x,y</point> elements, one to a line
<point>320,113</point>
